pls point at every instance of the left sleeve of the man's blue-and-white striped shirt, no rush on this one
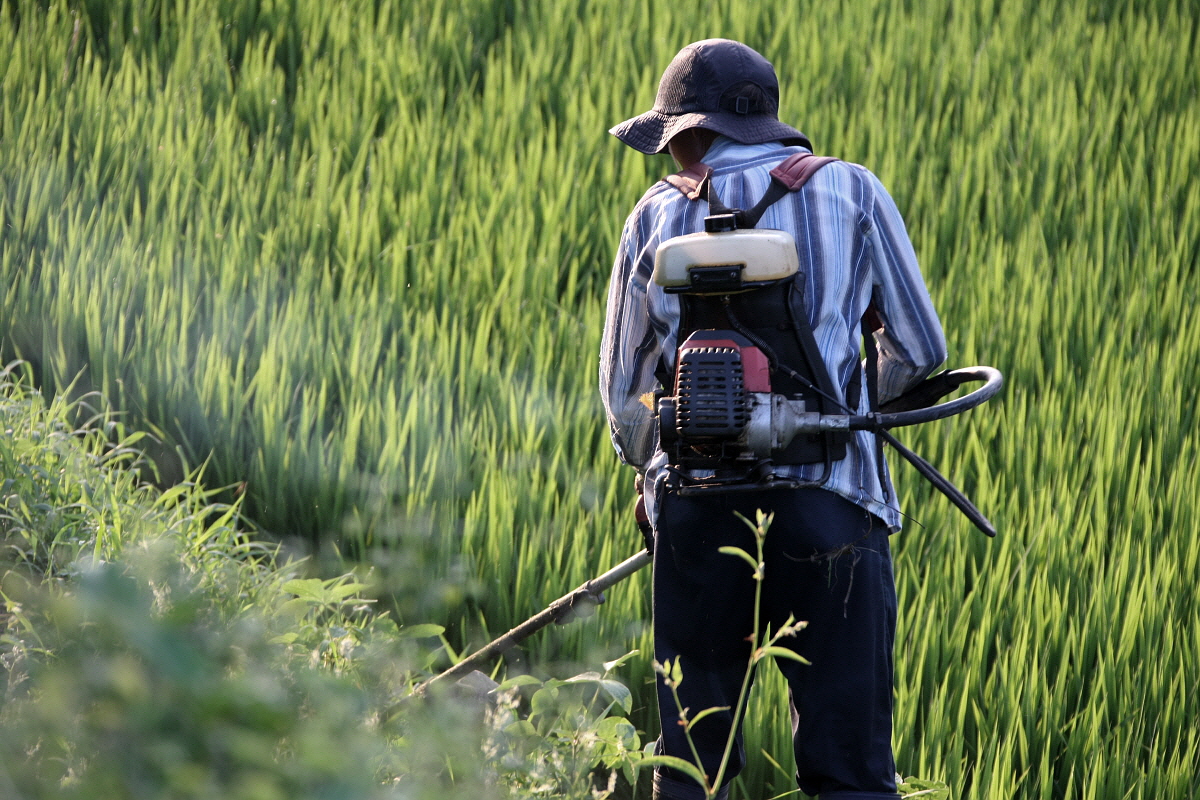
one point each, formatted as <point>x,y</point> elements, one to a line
<point>629,353</point>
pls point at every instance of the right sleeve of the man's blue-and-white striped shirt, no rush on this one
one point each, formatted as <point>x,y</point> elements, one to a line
<point>911,344</point>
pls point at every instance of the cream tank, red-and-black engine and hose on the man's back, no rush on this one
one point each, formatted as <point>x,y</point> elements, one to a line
<point>724,411</point>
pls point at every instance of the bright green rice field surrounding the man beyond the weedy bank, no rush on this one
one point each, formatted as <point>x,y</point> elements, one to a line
<point>353,257</point>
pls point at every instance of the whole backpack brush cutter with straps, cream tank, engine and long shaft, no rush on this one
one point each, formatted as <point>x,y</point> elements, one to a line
<point>737,408</point>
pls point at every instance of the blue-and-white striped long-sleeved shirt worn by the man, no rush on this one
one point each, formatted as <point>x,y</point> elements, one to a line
<point>854,249</point>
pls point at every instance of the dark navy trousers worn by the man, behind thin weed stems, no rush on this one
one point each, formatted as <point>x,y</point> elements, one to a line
<point>827,563</point>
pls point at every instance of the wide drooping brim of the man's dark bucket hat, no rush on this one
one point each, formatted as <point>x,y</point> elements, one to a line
<point>652,131</point>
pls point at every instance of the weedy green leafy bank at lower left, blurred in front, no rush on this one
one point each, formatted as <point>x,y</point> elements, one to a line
<point>189,663</point>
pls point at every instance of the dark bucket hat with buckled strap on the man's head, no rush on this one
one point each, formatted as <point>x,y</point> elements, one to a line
<point>717,85</point>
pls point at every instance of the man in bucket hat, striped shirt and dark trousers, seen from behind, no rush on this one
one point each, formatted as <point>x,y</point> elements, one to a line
<point>827,558</point>
